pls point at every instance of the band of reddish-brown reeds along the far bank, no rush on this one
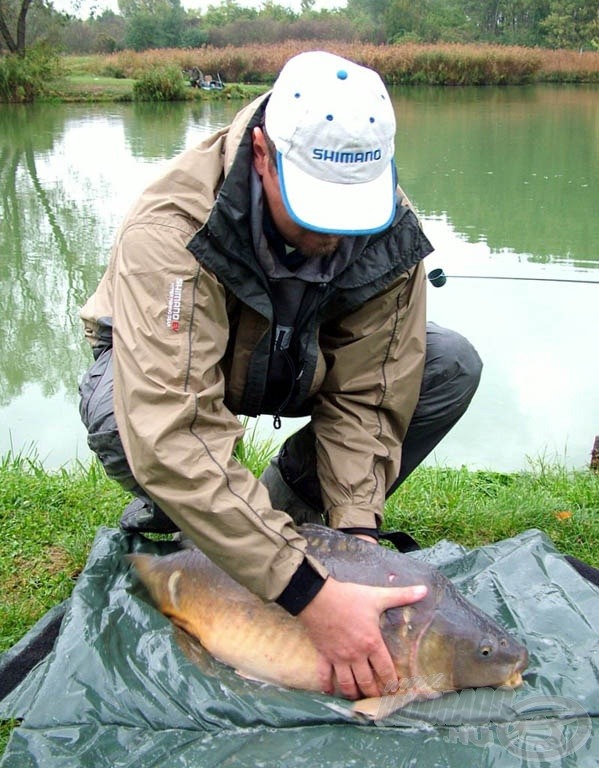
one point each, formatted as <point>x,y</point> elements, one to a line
<point>440,64</point>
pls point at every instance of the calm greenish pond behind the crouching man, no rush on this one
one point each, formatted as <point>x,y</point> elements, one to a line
<point>505,181</point>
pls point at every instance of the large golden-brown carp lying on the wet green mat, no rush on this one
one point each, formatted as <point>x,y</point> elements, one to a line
<point>441,643</point>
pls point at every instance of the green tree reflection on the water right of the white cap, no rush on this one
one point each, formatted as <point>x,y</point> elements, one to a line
<point>515,167</point>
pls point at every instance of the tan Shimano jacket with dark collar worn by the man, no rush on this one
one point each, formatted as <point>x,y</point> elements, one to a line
<point>189,330</point>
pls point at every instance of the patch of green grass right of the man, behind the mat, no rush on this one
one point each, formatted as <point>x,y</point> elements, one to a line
<point>475,508</point>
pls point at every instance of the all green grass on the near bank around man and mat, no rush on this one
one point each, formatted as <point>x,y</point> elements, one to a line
<point>49,520</point>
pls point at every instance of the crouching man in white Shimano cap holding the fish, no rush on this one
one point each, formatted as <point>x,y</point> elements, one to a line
<point>276,268</point>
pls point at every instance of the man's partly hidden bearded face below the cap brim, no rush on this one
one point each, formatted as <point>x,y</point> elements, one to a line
<point>309,243</point>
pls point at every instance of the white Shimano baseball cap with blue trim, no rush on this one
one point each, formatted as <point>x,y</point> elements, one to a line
<point>333,126</point>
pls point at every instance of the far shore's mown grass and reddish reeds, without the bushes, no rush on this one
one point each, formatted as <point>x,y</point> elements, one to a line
<point>250,70</point>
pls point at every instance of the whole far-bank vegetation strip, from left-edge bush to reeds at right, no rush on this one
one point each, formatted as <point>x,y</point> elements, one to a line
<point>162,74</point>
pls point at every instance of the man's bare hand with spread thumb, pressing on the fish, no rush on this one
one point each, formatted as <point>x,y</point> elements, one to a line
<point>343,622</point>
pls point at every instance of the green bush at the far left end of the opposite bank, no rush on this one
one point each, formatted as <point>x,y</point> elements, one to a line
<point>23,78</point>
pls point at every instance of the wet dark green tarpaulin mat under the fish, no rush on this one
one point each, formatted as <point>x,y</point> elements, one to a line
<point>123,687</point>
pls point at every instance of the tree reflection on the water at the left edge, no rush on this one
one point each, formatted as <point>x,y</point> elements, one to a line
<point>42,278</point>
